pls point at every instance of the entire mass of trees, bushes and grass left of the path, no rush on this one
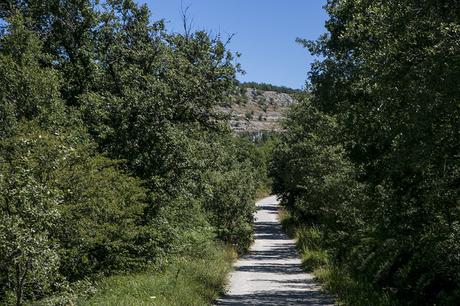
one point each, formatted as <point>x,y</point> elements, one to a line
<point>114,158</point>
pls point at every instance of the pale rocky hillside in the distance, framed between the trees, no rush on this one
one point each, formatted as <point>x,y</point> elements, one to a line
<point>253,110</point>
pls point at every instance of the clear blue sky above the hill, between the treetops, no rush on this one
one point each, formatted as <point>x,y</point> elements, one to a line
<point>265,32</point>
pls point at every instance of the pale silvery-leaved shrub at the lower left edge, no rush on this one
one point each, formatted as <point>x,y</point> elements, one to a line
<point>28,212</point>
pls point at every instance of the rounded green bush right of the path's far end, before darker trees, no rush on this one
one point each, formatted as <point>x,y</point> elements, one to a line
<point>311,171</point>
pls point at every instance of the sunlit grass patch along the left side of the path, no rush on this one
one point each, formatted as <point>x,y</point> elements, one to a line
<point>187,281</point>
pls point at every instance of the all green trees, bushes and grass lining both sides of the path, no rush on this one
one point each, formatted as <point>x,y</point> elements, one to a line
<point>120,182</point>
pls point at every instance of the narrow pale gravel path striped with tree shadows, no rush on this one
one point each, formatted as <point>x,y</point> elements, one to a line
<point>271,273</point>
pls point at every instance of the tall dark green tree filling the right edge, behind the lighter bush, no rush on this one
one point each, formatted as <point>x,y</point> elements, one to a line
<point>389,78</point>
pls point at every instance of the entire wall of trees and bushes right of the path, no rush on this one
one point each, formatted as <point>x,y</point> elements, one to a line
<point>370,156</point>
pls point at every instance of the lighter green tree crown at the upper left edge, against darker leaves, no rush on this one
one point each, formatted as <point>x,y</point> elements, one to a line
<point>29,91</point>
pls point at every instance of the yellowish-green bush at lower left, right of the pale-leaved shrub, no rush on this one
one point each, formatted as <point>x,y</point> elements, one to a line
<point>100,217</point>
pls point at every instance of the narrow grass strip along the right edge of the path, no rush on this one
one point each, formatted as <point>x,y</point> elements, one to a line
<point>334,280</point>
